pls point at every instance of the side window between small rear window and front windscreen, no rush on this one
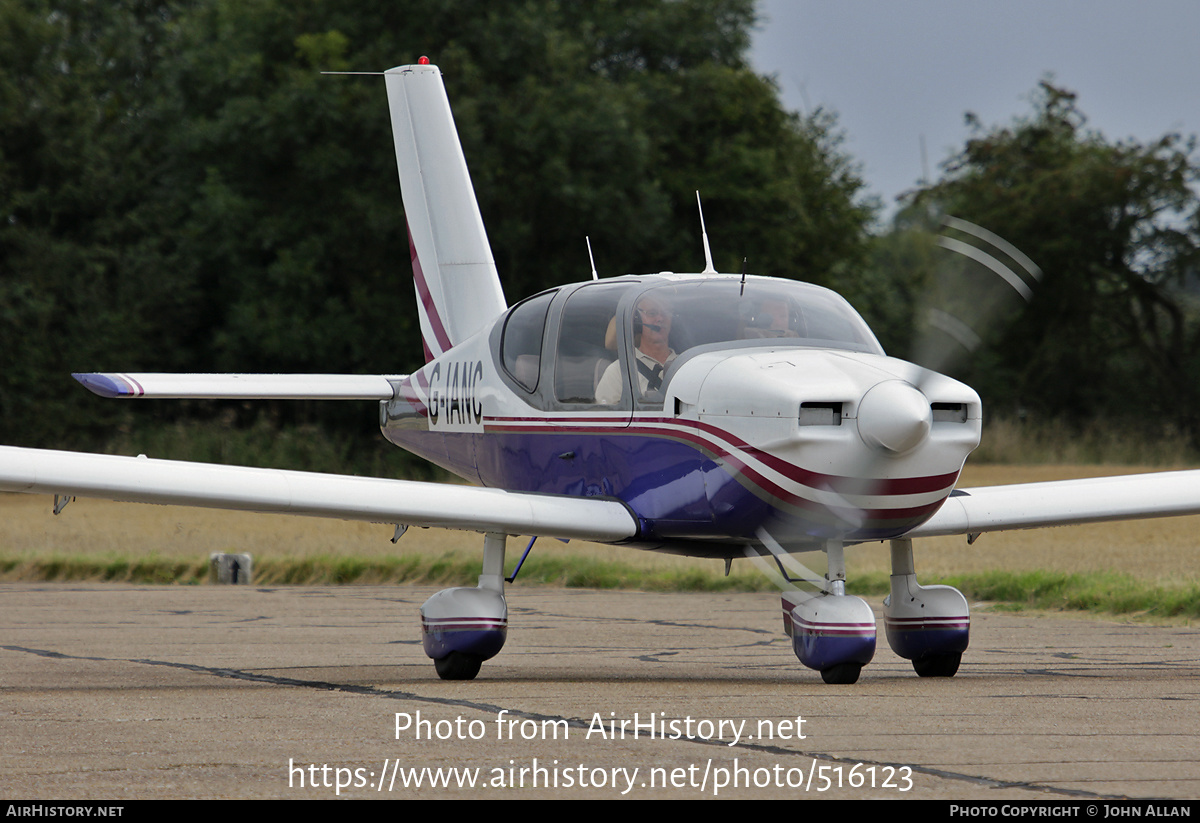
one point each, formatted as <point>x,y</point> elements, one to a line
<point>587,341</point>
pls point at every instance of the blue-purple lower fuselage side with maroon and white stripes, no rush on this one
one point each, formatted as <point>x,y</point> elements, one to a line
<point>682,484</point>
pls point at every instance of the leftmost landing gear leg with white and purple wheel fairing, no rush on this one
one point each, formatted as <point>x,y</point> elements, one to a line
<point>461,628</point>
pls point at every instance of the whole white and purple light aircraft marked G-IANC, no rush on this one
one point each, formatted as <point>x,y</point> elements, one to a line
<point>712,416</point>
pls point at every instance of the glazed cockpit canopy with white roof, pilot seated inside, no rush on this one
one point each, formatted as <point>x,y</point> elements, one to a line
<point>579,346</point>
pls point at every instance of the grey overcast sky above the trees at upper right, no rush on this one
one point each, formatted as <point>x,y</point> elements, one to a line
<point>895,71</point>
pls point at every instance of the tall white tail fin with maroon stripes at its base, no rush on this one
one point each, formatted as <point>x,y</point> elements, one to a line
<point>458,287</point>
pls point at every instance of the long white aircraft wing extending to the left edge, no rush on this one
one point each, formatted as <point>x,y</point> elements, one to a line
<point>373,500</point>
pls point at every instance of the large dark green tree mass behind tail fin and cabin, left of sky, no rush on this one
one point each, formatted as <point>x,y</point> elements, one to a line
<point>183,190</point>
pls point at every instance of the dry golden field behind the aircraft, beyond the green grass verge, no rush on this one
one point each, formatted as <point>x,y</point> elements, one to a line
<point>1162,550</point>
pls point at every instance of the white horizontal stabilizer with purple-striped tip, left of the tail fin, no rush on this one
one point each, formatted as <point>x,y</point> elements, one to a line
<point>241,387</point>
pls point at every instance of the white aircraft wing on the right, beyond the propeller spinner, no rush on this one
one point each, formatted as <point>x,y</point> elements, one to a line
<point>1065,503</point>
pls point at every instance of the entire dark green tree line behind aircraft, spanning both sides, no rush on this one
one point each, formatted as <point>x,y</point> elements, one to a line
<point>183,190</point>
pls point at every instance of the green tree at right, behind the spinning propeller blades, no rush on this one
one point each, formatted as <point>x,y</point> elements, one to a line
<point>1113,331</point>
